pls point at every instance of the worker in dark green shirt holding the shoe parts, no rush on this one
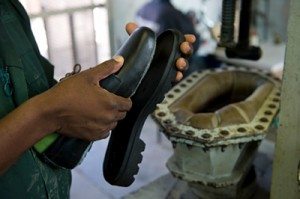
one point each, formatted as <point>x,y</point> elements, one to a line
<point>33,105</point>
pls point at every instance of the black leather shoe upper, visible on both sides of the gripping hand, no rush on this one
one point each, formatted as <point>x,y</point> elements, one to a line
<point>138,52</point>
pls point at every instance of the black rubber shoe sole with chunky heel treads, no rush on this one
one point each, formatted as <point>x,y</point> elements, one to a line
<point>124,149</point>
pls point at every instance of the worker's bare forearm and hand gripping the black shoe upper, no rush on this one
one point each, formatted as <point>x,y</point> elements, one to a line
<point>76,107</point>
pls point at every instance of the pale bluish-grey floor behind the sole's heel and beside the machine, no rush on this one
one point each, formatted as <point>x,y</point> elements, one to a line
<point>88,181</point>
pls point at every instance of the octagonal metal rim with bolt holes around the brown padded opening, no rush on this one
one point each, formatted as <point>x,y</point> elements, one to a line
<point>240,132</point>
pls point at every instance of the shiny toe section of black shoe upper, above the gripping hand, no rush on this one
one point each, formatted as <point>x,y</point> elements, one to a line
<point>138,52</point>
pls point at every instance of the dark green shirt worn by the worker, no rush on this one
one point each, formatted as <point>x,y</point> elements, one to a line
<point>23,74</point>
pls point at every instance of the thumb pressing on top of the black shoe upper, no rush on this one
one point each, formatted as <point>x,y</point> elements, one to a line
<point>107,68</point>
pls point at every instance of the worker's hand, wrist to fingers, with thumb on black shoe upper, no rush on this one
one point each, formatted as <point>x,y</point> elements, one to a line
<point>83,109</point>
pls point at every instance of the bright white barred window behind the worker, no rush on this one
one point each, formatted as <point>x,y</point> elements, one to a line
<point>70,32</point>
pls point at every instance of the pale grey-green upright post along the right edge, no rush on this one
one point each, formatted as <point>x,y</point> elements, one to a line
<point>285,179</point>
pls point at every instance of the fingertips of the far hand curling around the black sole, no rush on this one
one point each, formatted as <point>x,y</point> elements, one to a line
<point>186,49</point>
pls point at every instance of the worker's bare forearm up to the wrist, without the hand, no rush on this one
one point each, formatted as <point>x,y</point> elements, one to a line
<point>21,129</point>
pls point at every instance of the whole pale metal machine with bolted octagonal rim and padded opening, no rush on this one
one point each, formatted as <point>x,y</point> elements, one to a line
<point>217,157</point>
